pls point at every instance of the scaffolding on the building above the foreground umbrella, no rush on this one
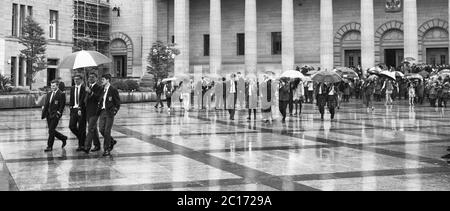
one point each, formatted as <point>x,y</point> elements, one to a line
<point>92,20</point>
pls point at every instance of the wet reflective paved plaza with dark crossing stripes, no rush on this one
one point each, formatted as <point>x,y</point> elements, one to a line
<point>390,149</point>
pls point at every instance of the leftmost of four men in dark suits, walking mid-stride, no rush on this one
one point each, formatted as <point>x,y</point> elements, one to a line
<point>53,111</point>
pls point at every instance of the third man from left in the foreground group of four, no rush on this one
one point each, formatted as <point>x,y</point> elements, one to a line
<point>93,95</point>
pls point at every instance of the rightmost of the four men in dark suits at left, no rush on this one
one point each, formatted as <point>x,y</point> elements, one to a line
<point>108,107</point>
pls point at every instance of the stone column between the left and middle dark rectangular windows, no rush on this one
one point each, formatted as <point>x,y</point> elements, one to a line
<point>215,38</point>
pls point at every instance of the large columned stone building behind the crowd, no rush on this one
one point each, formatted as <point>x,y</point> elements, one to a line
<point>224,36</point>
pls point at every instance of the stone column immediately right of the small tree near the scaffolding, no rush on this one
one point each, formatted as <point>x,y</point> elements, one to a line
<point>182,36</point>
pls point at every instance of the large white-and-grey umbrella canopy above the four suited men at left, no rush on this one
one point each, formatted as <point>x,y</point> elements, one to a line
<point>82,59</point>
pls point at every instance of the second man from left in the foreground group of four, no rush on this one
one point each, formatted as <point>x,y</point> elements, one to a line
<point>77,123</point>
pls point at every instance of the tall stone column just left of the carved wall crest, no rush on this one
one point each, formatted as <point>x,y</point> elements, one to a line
<point>367,35</point>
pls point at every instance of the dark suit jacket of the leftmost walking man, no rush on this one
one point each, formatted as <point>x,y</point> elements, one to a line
<point>55,108</point>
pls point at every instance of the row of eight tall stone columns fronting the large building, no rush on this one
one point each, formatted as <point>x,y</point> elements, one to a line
<point>288,52</point>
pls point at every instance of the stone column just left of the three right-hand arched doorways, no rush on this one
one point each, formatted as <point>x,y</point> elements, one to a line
<point>326,34</point>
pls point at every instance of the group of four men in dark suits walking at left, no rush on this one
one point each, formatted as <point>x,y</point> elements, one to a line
<point>95,102</point>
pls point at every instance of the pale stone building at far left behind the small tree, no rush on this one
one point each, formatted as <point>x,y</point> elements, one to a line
<point>55,17</point>
